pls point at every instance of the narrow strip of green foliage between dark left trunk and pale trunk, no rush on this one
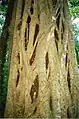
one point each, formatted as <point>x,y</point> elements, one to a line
<point>4,81</point>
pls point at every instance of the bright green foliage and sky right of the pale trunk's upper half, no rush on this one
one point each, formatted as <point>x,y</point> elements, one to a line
<point>74,11</point>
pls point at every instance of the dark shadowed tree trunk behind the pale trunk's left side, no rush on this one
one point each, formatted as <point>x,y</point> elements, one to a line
<point>6,35</point>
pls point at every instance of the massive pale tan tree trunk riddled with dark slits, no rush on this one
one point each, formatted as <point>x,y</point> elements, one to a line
<point>42,67</point>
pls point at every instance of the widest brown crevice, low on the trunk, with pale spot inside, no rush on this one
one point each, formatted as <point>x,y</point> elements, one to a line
<point>34,89</point>
